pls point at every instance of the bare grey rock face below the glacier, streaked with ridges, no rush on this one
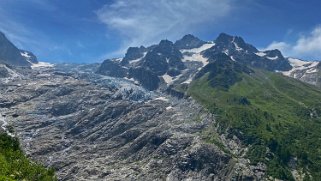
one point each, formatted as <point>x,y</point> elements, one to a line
<point>91,127</point>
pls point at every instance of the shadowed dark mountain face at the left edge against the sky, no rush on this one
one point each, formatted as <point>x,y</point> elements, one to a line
<point>10,54</point>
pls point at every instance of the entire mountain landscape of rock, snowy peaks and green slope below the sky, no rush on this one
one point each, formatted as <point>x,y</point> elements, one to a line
<point>189,110</point>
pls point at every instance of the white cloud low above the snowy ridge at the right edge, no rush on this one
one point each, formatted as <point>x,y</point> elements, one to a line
<point>307,46</point>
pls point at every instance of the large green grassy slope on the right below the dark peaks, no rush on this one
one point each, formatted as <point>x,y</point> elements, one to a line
<point>273,112</point>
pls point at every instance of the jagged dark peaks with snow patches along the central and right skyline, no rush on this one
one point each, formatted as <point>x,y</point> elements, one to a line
<point>168,64</point>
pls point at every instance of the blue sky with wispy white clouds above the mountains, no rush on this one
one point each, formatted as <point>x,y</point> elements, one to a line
<point>89,31</point>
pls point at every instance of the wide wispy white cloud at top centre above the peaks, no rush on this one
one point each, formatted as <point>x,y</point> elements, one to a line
<point>143,22</point>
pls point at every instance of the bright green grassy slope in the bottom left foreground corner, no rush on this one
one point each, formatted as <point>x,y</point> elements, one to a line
<point>15,166</point>
